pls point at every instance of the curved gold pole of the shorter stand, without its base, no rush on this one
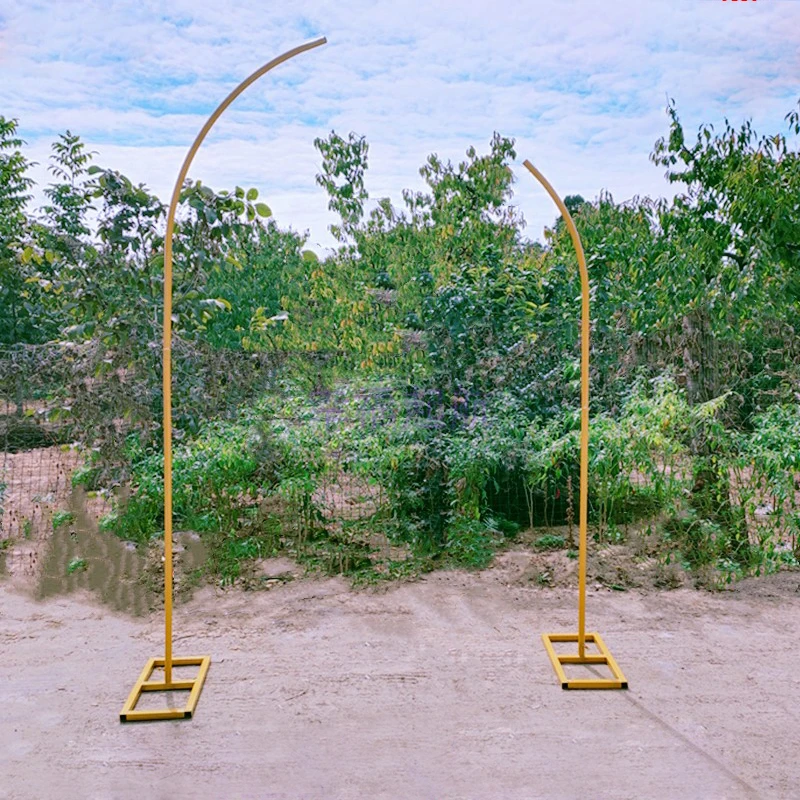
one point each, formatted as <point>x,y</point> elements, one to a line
<point>584,490</point>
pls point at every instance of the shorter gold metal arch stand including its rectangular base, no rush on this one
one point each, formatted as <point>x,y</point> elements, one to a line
<point>601,656</point>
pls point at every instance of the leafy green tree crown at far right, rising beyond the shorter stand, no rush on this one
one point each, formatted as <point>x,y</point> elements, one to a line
<point>733,237</point>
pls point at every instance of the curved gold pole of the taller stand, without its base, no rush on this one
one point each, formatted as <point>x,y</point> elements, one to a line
<point>167,423</point>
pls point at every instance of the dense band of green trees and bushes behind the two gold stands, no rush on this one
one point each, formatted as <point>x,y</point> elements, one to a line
<point>412,399</point>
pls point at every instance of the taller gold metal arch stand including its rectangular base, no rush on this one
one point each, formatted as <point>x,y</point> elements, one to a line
<point>129,712</point>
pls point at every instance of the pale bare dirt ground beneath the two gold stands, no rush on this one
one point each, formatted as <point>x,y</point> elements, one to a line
<point>434,689</point>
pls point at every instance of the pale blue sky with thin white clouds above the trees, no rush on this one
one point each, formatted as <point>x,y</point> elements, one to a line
<point>580,84</point>
